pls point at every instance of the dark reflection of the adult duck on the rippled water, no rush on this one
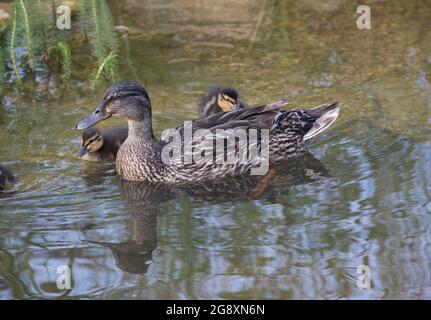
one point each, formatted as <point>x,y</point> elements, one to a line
<point>144,200</point>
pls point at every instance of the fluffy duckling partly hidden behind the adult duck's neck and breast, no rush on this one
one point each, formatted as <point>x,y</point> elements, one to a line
<point>101,146</point>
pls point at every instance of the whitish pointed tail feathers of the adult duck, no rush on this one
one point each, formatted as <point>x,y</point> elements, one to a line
<point>325,114</point>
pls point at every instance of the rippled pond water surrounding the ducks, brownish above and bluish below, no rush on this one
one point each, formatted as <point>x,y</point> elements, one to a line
<point>362,197</point>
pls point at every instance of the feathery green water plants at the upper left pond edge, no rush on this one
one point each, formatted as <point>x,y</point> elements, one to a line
<point>32,43</point>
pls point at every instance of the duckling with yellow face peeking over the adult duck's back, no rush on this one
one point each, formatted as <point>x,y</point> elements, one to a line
<point>219,99</point>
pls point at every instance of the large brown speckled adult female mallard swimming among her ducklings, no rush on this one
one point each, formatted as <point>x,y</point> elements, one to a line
<point>143,158</point>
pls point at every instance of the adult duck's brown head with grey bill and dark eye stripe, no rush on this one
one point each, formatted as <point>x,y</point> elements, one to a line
<point>125,99</point>
